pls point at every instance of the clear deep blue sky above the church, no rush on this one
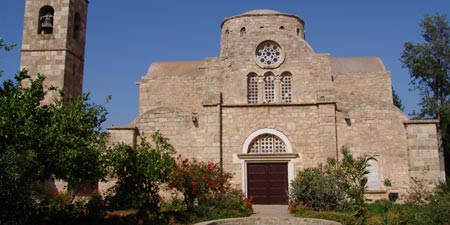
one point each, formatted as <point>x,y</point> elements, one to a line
<point>125,37</point>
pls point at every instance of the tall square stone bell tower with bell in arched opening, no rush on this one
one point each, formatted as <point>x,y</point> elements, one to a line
<point>53,43</point>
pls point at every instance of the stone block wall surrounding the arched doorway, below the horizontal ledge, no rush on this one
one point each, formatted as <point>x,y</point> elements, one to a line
<point>298,123</point>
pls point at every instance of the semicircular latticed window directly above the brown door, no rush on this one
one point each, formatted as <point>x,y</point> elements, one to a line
<point>267,144</point>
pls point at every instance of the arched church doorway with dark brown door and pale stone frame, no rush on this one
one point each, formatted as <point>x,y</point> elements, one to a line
<point>268,166</point>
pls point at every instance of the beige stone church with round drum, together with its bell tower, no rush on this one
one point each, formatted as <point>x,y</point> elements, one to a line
<point>267,107</point>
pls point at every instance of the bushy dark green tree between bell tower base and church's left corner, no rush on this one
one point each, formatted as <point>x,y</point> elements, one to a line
<point>75,140</point>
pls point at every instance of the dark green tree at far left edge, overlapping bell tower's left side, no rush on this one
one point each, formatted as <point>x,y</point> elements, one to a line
<point>21,120</point>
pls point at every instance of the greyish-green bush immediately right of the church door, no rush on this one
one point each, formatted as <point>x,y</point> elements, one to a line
<point>337,186</point>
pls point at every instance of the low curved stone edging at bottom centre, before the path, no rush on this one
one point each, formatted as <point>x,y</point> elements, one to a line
<point>269,221</point>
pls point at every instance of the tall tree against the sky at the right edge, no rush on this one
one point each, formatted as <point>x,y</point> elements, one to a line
<point>429,68</point>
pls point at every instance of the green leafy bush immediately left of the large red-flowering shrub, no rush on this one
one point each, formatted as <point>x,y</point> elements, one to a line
<point>140,171</point>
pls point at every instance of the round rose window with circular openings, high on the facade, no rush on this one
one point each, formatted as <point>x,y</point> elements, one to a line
<point>269,54</point>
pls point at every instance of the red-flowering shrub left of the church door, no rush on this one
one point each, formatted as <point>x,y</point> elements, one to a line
<point>197,179</point>
